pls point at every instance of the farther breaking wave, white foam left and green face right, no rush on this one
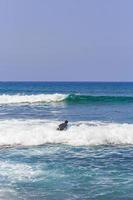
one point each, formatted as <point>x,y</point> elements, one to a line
<point>67,98</point>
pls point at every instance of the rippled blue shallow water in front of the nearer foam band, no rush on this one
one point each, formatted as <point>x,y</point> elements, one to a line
<point>65,172</point>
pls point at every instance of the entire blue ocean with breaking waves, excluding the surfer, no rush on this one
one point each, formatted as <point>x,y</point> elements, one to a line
<point>91,160</point>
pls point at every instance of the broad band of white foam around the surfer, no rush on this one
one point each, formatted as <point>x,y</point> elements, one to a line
<point>37,132</point>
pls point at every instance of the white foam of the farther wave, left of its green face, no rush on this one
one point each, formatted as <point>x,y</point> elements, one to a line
<point>46,98</point>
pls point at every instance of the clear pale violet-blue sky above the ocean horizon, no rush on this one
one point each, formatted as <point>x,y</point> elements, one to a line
<point>66,40</point>
